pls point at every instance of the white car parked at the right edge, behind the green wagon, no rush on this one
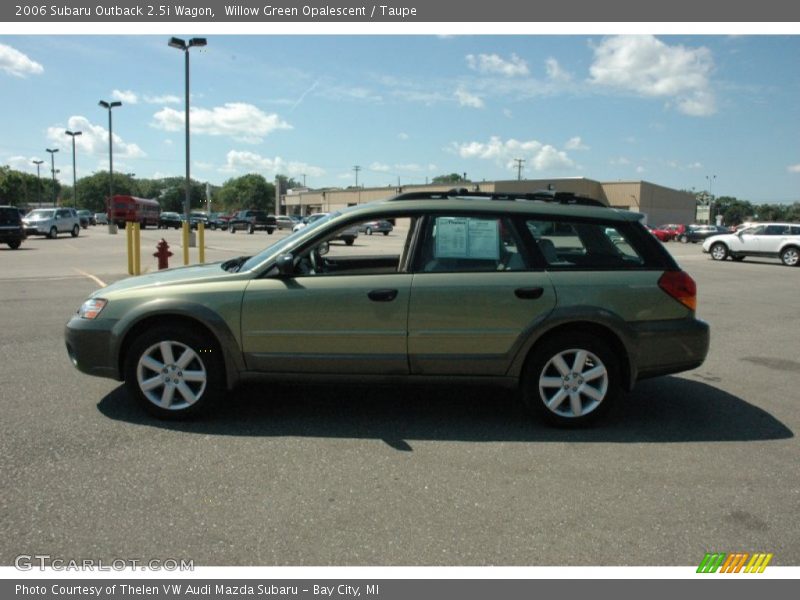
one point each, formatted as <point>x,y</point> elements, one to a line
<point>768,240</point>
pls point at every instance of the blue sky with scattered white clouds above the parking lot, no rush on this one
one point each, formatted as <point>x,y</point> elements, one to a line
<point>718,113</point>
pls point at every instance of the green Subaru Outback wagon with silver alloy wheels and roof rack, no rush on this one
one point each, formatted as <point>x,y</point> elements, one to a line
<point>569,301</point>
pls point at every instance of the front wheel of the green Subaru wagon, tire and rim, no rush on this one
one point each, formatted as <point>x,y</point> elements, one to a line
<point>158,381</point>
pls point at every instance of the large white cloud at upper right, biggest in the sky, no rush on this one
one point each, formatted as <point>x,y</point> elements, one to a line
<point>645,65</point>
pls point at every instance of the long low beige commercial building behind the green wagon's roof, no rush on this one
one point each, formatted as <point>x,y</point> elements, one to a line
<point>660,204</point>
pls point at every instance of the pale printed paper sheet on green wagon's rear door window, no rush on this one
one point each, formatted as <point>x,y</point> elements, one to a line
<point>458,237</point>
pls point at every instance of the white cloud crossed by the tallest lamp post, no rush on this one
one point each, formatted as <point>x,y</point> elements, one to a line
<point>238,120</point>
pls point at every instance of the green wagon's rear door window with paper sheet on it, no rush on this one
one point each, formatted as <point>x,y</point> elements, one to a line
<point>469,243</point>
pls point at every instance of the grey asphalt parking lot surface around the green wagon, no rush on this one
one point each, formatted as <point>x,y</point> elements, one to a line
<point>344,475</point>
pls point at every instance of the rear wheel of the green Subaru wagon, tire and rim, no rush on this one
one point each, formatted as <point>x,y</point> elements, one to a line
<point>571,380</point>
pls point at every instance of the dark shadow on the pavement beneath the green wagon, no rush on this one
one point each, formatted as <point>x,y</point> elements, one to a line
<point>664,410</point>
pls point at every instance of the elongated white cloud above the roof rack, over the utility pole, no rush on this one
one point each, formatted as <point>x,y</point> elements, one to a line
<point>539,156</point>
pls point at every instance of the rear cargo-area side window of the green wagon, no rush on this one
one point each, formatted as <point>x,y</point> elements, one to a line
<point>577,246</point>
